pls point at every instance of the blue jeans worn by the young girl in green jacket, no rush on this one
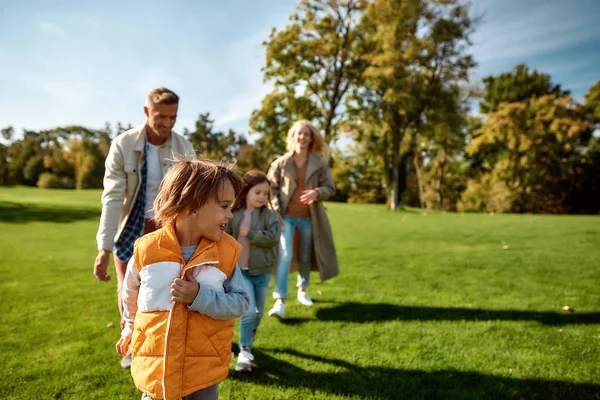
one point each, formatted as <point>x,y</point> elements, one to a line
<point>258,288</point>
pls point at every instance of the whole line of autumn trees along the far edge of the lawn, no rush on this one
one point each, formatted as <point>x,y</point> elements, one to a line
<point>392,80</point>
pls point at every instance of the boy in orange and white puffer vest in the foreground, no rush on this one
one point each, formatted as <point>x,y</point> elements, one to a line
<point>183,288</point>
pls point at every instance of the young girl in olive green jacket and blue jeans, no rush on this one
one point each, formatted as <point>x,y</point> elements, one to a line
<point>257,228</point>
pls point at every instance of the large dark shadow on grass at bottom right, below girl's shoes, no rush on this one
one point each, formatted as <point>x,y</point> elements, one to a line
<point>391,383</point>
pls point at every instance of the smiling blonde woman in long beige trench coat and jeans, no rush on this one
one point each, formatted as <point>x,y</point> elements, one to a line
<point>300,181</point>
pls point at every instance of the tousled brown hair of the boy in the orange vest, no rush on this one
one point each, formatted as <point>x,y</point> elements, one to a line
<point>190,184</point>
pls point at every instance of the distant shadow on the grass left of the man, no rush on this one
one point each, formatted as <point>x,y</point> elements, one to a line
<point>25,212</point>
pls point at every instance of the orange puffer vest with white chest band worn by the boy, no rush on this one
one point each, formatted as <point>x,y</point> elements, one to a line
<point>177,351</point>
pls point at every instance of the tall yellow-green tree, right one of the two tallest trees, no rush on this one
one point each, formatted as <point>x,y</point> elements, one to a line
<point>417,52</point>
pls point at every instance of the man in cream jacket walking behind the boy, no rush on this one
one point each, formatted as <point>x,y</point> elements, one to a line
<point>136,162</point>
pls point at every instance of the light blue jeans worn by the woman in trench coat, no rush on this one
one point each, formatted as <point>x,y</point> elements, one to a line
<point>286,249</point>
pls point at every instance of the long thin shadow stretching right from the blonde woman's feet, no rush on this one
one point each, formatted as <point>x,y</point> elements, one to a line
<point>358,312</point>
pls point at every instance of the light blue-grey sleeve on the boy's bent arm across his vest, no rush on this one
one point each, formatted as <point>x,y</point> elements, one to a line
<point>229,304</point>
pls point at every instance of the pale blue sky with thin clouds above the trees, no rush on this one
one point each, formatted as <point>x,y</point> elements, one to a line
<point>90,62</point>
